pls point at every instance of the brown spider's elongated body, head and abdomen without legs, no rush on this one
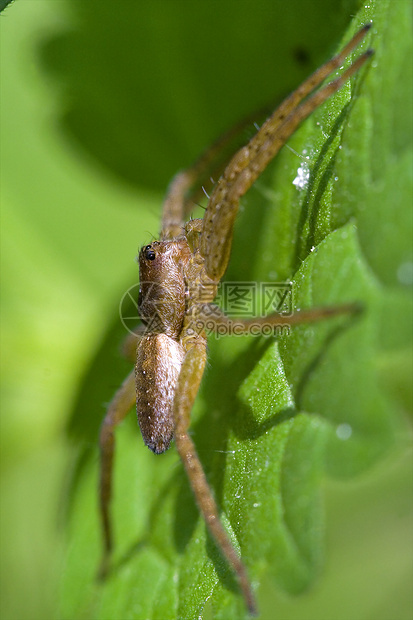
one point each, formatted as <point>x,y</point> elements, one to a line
<point>163,267</point>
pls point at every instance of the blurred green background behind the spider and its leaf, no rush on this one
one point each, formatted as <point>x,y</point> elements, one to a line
<point>100,106</point>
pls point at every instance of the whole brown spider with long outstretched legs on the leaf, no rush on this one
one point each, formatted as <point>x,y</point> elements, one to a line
<point>179,276</point>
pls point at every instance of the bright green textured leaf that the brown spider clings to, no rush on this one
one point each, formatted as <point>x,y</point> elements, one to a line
<point>315,401</point>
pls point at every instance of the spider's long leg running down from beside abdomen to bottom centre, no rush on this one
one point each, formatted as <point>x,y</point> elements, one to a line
<point>187,388</point>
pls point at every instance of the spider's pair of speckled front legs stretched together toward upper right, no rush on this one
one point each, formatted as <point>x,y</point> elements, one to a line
<point>250,161</point>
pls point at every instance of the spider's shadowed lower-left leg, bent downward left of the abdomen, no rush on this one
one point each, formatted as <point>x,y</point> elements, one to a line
<point>120,406</point>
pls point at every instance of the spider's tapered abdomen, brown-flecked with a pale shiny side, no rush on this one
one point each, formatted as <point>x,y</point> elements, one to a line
<point>158,363</point>
